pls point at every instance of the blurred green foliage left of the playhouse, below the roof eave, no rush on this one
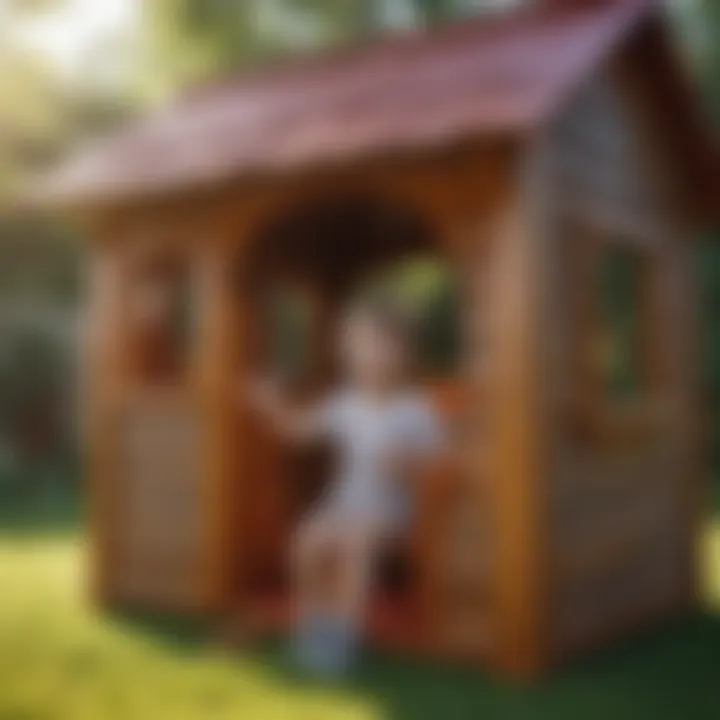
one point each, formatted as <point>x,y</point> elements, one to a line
<point>39,288</point>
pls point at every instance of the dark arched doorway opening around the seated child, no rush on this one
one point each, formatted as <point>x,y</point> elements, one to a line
<point>301,272</point>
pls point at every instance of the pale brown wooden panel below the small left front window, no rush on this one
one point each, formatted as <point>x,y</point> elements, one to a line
<point>159,510</point>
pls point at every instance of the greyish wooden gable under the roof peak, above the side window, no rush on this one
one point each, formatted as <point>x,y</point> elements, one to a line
<point>610,165</point>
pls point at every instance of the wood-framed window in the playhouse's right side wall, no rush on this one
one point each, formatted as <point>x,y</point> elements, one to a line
<point>610,307</point>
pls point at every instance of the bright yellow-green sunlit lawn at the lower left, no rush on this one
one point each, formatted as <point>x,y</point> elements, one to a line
<point>57,653</point>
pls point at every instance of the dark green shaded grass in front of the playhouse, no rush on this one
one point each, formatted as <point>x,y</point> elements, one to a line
<point>670,674</point>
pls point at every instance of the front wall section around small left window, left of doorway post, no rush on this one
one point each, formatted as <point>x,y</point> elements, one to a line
<point>145,434</point>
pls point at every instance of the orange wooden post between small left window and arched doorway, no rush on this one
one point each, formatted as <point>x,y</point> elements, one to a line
<point>222,343</point>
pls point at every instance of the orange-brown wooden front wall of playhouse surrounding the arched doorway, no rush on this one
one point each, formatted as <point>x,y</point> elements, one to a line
<point>176,468</point>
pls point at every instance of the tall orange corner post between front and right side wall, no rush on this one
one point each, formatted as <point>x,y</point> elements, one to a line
<point>517,344</point>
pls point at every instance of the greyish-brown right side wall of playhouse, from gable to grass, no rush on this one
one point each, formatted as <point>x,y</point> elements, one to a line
<point>622,484</point>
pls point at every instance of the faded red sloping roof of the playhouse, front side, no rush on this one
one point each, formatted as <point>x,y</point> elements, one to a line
<point>487,77</point>
